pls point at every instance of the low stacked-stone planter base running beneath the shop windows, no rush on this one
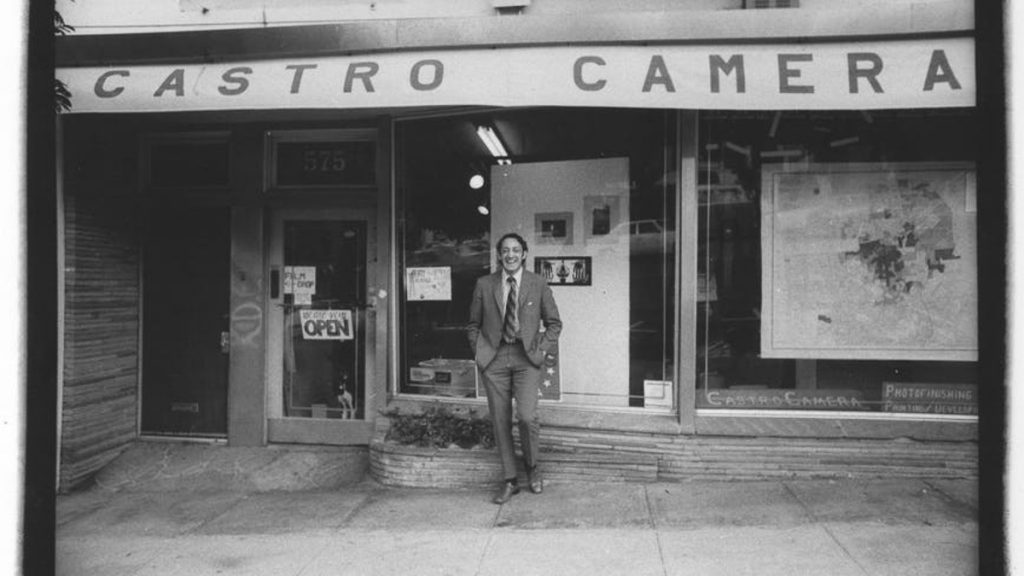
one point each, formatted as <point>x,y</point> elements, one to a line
<point>593,456</point>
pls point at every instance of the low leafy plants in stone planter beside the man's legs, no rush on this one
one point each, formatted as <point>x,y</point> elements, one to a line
<point>438,427</point>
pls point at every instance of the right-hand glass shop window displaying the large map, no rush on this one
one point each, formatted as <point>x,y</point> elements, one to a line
<point>838,262</point>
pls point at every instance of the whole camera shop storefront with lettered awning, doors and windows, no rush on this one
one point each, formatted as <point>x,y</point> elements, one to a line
<point>273,235</point>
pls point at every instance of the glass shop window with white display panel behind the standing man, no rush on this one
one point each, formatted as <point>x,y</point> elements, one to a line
<point>592,192</point>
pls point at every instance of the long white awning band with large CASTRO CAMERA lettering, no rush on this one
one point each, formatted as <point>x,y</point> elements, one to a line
<point>934,73</point>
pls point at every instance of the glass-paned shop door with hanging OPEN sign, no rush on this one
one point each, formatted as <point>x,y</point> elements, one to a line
<point>322,327</point>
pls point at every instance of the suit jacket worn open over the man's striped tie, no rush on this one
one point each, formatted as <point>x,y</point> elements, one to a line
<point>537,308</point>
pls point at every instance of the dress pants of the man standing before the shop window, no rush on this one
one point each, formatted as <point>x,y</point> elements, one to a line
<point>509,376</point>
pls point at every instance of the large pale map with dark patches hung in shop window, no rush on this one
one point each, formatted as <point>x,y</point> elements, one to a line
<point>870,262</point>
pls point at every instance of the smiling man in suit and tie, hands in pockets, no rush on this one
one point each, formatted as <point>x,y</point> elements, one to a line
<point>509,309</point>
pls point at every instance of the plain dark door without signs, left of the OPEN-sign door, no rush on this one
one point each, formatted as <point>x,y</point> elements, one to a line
<point>186,298</point>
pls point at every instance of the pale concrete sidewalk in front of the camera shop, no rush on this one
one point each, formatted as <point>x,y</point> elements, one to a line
<point>856,527</point>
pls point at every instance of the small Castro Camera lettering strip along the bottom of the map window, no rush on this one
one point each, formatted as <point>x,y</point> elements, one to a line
<point>783,399</point>
